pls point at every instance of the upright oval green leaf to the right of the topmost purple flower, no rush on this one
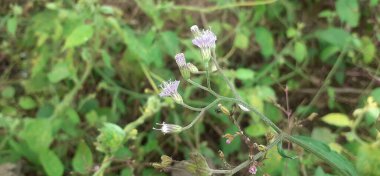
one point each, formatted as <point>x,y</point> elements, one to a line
<point>265,40</point>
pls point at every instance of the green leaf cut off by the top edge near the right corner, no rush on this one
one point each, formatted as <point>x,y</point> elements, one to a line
<point>348,11</point>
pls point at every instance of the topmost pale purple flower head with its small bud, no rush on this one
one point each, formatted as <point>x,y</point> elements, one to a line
<point>205,40</point>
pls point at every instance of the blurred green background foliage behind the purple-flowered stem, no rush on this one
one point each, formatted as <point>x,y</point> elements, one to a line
<point>67,67</point>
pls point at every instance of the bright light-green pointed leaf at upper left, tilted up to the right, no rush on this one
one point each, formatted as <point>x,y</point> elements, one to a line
<point>79,36</point>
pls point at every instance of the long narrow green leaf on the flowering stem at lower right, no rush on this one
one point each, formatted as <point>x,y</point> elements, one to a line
<point>321,150</point>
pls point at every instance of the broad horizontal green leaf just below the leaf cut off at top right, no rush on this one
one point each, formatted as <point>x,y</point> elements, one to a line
<point>334,36</point>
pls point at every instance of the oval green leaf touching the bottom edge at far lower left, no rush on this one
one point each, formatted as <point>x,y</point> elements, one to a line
<point>51,163</point>
